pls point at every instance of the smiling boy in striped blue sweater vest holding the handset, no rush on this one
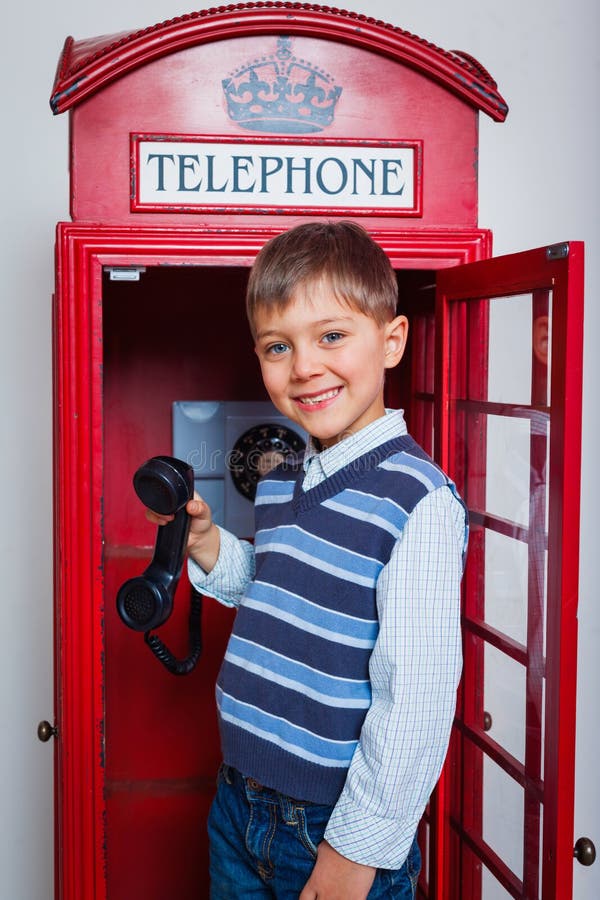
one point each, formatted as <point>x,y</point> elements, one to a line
<point>337,690</point>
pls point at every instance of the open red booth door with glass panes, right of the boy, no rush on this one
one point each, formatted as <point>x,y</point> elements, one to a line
<point>508,414</point>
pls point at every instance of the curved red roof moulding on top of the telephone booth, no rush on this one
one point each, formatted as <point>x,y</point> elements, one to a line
<point>87,66</point>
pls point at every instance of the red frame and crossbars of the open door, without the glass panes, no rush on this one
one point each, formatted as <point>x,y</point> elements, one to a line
<point>557,272</point>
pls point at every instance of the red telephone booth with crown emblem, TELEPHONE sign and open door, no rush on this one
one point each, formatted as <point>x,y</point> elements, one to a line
<point>192,142</point>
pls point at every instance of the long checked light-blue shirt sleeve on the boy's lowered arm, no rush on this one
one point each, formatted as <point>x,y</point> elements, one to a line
<point>414,668</point>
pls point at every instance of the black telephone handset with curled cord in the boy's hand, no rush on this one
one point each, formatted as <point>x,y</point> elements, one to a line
<point>163,484</point>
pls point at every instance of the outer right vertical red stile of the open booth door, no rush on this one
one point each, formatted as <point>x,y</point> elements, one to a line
<point>563,575</point>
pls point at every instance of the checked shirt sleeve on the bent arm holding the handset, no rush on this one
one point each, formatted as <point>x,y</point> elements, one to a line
<point>234,569</point>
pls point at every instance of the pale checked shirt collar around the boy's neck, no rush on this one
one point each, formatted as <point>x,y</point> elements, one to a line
<point>331,460</point>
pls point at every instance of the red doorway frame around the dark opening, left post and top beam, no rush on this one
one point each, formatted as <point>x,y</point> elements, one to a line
<point>82,252</point>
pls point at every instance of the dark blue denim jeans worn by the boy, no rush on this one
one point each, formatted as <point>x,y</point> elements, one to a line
<point>264,844</point>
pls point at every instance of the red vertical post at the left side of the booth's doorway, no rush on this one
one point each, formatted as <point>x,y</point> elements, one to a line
<point>79,589</point>
